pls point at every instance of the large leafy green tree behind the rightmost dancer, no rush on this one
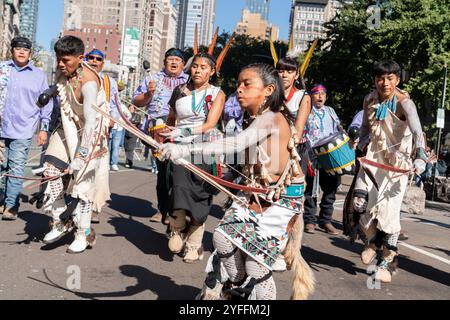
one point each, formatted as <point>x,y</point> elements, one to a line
<point>415,33</point>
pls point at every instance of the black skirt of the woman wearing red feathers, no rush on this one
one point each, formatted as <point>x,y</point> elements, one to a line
<point>189,193</point>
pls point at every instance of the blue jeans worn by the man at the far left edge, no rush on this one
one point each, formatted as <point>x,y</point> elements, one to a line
<point>16,156</point>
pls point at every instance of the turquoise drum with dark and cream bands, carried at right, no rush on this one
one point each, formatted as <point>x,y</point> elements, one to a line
<point>335,155</point>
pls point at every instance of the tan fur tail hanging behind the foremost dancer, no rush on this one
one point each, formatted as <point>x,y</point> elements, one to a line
<point>304,280</point>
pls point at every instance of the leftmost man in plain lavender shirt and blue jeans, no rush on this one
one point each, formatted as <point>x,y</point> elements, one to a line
<point>20,86</point>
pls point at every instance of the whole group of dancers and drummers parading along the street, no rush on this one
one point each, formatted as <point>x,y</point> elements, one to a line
<point>278,141</point>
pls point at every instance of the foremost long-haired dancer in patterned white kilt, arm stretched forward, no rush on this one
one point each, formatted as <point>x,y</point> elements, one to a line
<point>256,228</point>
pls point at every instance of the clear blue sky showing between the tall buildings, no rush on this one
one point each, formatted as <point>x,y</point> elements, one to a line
<point>228,13</point>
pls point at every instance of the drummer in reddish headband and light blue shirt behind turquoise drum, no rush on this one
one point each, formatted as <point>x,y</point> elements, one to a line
<point>322,123</point>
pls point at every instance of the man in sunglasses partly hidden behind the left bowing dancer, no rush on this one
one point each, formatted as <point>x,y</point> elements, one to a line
<point>96,59</point>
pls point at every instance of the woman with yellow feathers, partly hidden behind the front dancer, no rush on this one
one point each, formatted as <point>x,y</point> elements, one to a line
<point>298,103</point>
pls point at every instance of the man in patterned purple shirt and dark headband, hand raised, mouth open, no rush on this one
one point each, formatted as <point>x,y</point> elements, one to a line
<point>154,93</point>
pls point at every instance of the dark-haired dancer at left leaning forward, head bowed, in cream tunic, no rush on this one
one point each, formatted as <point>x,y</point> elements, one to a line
<point>79,148</point>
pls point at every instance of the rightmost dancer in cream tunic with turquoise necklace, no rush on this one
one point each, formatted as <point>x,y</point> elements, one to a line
<point>391,119</point>
